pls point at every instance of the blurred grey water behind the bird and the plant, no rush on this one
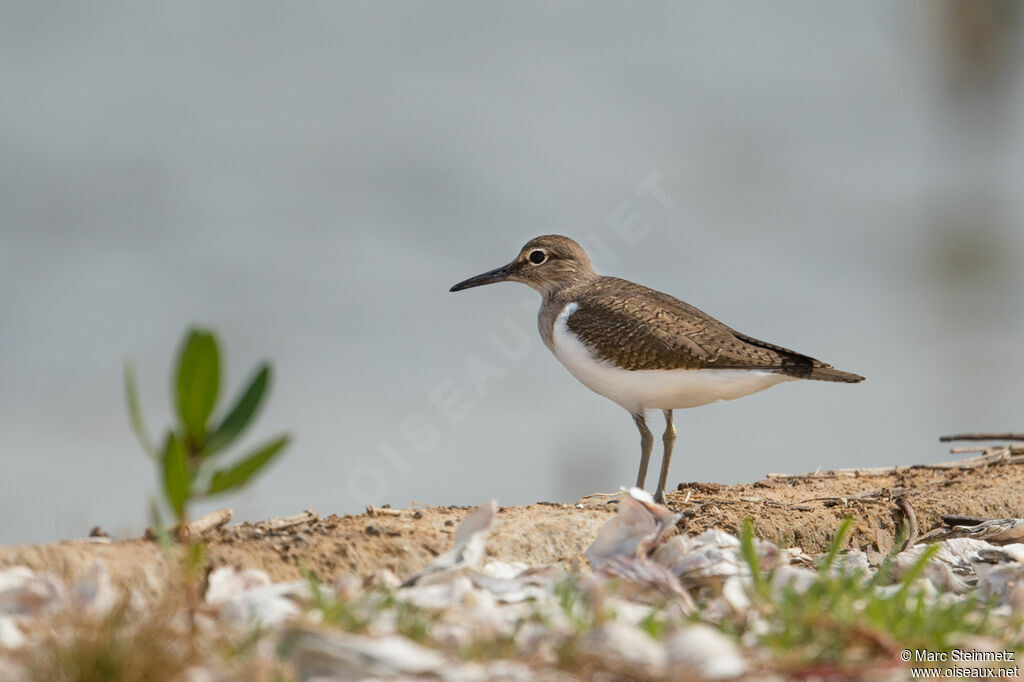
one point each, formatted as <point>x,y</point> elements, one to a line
<point>310,180</point>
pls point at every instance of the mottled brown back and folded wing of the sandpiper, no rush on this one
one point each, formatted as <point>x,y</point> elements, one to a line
<point>642,329</point>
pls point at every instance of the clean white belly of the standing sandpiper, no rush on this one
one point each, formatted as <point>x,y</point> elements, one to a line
<point>650,390</point>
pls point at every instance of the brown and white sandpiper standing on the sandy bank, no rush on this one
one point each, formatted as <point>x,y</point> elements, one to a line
<point>642,349</point>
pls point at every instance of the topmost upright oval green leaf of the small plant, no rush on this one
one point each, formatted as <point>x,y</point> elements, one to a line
<point>198,382</point>
